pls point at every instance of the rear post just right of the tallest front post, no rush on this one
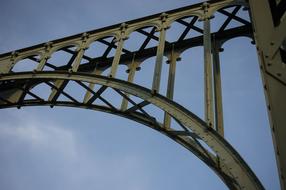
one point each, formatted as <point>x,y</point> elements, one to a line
<point>217,89</point>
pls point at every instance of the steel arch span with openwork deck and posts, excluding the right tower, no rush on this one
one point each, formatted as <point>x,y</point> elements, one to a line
<point>219,155</point>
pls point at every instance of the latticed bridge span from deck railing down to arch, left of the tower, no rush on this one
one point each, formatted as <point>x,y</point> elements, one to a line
<point>97,70</point>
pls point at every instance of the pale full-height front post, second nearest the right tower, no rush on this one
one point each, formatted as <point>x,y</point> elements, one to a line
<point>159,55</point>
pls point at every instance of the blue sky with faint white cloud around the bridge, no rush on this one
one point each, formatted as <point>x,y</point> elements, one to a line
<point>65,148</point>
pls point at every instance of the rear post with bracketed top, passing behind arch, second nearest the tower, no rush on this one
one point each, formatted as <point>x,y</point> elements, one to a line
<point>171,84</point>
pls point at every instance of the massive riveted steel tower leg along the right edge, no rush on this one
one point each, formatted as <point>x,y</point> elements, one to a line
<point>270,34</point>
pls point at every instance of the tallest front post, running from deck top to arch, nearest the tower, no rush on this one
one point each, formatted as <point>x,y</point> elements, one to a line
<point>209,115</point>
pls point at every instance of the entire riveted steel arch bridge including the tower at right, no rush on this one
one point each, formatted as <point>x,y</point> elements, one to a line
<point>88,73</point>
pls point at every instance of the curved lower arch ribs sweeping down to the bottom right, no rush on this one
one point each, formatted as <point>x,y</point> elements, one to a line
<point>231,168</point>
